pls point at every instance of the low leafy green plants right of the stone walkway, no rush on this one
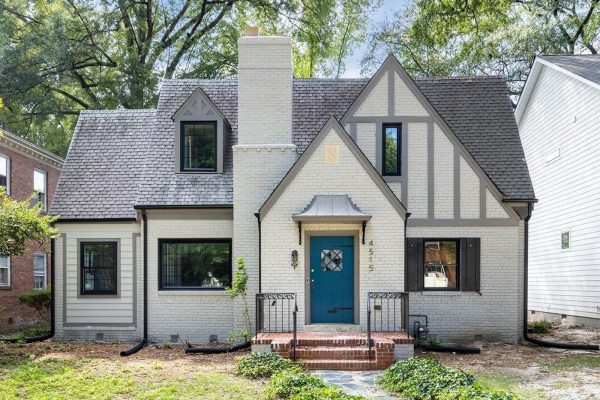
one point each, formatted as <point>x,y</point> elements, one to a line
<point>425,379</point>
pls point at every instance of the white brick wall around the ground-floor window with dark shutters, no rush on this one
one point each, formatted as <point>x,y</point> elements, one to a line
<point>496,314</point>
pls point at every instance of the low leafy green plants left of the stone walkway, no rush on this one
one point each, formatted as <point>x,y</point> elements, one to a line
<point>288,381</point>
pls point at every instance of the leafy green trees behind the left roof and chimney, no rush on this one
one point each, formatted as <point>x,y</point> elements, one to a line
<point>63,56</point>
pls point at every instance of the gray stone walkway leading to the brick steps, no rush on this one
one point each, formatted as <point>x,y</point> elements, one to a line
<point>361,383</point>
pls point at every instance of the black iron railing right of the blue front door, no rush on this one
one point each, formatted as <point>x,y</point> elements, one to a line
<point>386,312</point>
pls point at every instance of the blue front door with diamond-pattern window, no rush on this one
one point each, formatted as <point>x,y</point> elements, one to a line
<point>332,279</point>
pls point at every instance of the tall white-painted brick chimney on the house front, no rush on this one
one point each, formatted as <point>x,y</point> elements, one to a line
<point>265,151</point>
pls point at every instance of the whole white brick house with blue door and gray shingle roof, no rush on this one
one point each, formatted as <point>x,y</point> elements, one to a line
<point>320,184</point>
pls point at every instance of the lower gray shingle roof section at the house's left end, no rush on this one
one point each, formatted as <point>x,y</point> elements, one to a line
<point>101,174</point>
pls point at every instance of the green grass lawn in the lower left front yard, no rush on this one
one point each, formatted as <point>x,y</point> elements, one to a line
<point>87,378</point>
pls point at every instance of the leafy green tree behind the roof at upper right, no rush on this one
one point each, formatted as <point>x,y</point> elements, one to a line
<point>485,37</point>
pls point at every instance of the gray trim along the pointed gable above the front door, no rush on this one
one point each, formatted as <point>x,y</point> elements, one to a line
<point>333,124</point>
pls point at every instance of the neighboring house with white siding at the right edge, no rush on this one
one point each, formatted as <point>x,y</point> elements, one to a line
<point>559,121</point>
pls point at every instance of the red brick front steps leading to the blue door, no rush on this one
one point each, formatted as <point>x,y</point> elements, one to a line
<point>338,351</point>
